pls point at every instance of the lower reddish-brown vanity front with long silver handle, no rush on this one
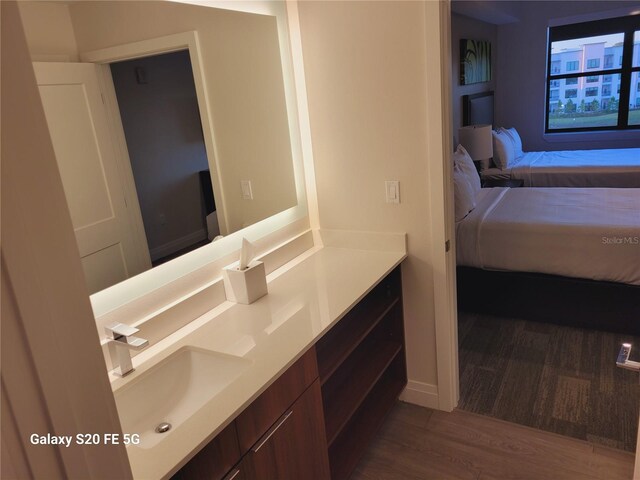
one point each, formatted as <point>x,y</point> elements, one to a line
<point>295,448</point>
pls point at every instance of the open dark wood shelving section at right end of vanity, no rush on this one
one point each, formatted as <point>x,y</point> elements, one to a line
<point>362,372</point>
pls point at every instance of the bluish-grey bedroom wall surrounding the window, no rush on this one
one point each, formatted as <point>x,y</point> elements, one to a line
<point>521,70</point>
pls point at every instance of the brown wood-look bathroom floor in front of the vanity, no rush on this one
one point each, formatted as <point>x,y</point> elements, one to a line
<point>416,443</point>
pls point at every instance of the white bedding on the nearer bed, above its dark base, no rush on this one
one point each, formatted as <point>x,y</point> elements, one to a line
<point>589,233</point>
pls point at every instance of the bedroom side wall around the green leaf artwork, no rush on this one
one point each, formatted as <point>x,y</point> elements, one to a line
<point>469,28</point>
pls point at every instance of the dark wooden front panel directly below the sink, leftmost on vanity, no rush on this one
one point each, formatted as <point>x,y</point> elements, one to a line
<point>215,460</point>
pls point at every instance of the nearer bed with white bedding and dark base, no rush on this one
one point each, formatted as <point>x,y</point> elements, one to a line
<point>564,255</point>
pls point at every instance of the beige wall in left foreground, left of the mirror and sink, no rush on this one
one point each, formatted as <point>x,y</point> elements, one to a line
<point>53,375</point>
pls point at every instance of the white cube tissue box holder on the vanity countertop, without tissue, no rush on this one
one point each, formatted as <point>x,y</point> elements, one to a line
<point>245,286</point>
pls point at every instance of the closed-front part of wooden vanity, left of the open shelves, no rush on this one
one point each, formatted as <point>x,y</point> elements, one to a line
<point>279,436</point>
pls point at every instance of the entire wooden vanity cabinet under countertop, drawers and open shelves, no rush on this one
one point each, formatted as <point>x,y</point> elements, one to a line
<point>317,419</point>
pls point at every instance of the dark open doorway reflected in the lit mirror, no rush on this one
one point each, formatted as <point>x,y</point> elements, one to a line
<point>159,110</point>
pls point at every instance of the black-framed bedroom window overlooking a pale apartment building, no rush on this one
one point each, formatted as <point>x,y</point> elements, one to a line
<point>607,50</point>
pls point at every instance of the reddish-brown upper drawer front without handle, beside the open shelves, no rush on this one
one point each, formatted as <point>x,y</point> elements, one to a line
<point>269,407</point>
